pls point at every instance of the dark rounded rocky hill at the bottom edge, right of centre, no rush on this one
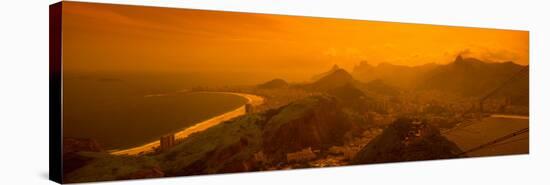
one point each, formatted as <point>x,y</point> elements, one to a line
<point>407,140</point>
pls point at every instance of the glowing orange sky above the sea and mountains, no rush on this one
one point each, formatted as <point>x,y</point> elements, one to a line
<point>99,37</point>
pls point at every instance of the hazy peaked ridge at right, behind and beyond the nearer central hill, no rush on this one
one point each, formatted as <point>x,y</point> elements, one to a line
<point>464,76</point>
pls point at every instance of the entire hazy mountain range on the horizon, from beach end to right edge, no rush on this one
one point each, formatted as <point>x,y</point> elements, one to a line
<point>464,76</point>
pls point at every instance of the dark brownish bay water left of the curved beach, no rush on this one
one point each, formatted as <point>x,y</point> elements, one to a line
<point>125,112</point>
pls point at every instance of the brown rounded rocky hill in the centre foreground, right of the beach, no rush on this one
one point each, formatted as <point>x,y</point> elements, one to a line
<point>316,122</point>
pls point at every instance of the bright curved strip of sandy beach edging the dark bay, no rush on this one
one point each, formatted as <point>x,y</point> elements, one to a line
<point>198,127</point>
